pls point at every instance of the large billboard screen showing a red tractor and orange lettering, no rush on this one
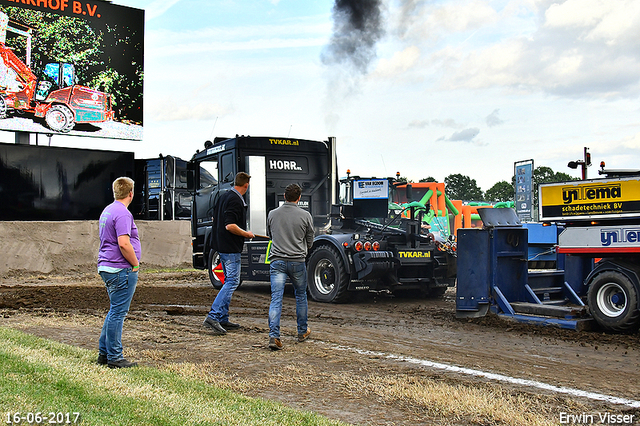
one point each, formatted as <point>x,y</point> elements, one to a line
<point>71,67</point>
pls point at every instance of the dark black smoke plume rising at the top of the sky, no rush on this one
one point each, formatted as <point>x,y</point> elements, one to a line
<point>357,27</point>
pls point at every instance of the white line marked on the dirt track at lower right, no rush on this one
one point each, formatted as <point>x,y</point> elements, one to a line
<point>499,377</point>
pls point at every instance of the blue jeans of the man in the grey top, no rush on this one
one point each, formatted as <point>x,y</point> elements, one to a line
<point>297,272</point>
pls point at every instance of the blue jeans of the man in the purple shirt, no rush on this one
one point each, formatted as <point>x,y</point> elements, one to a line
<point>120,286</point>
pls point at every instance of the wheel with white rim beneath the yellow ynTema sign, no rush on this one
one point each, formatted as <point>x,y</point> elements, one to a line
<point>613,302</point>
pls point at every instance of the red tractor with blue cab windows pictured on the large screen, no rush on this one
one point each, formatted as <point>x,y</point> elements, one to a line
<point>54,96</point>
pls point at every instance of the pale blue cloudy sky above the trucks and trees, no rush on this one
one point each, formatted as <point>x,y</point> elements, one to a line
<point>424,88</point>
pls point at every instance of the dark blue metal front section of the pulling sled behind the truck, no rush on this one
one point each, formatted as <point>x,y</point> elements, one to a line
<point>494,274</point>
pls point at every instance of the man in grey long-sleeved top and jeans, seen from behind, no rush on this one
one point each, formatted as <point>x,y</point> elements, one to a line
<point>291,232</point>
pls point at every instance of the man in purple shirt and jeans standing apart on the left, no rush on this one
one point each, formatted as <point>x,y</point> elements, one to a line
<point>118,264</point>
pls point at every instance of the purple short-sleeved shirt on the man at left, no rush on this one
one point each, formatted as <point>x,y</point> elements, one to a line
<point>116,220</point>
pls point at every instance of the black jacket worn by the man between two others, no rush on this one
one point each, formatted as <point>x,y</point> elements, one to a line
<point>230,209</point>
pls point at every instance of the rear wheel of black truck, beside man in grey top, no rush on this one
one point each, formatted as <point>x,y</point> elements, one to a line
<point>327,276</point>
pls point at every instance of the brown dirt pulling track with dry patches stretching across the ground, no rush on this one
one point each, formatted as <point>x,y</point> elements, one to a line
<point>360,340</point>
